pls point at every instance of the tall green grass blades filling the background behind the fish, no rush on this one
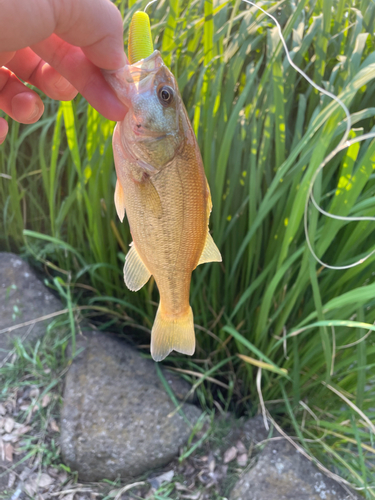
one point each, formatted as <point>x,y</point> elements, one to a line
<point>263,132</point>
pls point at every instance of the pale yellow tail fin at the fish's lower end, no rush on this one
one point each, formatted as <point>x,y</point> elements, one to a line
<point>170,334</point>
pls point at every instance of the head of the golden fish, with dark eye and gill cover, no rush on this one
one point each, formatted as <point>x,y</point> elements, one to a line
<point>152,131</point>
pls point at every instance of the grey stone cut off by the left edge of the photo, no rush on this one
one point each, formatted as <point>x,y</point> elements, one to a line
<point>23,297</point>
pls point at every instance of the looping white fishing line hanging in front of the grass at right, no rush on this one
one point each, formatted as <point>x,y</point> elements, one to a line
<point>343,144</point>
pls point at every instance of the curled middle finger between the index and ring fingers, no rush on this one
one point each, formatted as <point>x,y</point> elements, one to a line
<point>32,69</point>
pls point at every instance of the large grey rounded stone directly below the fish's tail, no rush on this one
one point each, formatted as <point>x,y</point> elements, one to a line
<point>115,418</point>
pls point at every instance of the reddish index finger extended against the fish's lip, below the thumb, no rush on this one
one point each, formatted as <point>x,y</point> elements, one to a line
<point>87,78</point>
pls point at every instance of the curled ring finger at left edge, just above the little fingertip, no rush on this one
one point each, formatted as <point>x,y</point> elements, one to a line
<point>18,101</point>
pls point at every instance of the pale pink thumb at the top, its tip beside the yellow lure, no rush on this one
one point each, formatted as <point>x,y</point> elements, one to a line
<point>94,25</point>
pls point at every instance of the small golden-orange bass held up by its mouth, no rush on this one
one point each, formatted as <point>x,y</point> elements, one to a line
<point>162,188</point>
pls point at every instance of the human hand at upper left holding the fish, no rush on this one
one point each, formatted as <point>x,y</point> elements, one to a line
<point>58,46</point>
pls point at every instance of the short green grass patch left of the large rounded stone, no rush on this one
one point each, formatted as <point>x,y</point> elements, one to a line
<point>41,368</point>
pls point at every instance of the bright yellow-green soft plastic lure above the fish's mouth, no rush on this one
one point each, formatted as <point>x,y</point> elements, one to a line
<point>140,43</point>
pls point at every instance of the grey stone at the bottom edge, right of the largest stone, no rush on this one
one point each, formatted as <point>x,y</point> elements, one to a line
<point>281,473</point>
